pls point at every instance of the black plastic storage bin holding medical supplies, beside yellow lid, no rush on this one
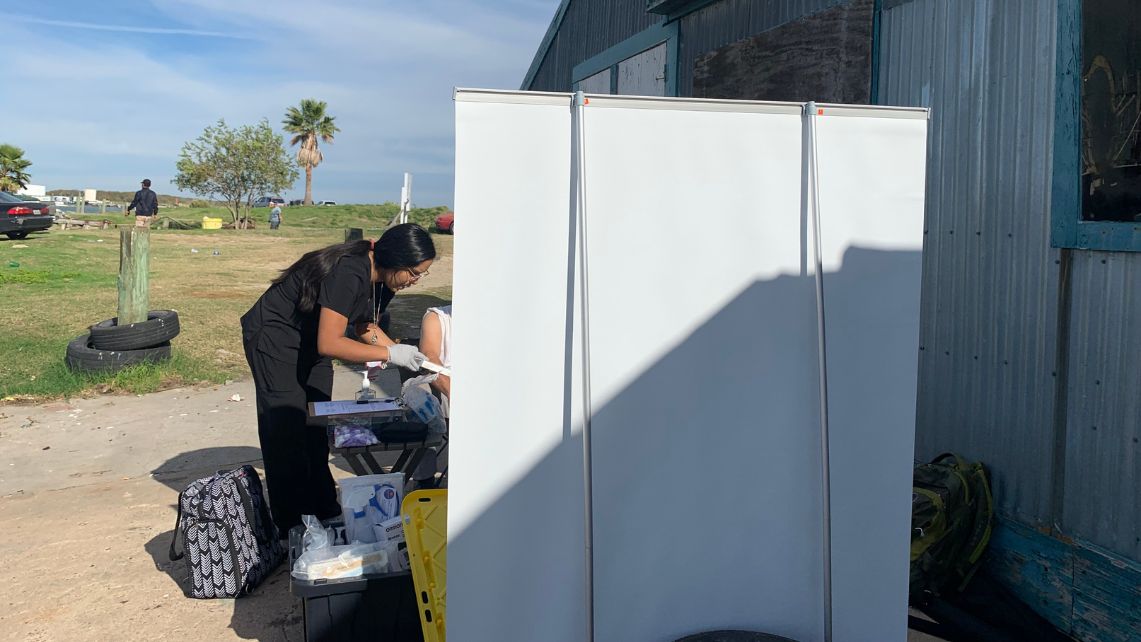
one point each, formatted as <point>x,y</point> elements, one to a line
<point>381,608</point>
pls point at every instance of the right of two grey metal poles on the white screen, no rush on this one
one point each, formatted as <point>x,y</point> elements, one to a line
<point>826,461</point>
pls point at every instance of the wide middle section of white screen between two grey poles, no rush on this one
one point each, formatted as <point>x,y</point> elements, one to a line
<point>703,371</point>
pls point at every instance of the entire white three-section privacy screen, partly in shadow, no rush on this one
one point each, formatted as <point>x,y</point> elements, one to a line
<point>705,369</point>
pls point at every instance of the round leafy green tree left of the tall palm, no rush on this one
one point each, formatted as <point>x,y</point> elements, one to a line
<point>236,166</point>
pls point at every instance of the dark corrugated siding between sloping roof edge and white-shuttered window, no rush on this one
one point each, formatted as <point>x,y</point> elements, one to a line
<point>588,29</point>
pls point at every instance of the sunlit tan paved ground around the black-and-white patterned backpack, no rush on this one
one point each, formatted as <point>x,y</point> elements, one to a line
<point>88,494</point>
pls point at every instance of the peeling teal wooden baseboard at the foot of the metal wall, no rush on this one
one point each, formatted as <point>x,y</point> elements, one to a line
<point>1088,592</point>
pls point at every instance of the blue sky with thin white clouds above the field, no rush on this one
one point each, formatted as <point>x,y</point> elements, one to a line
<point>109,91</point>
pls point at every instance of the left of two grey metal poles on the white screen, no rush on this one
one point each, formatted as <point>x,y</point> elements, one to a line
<point>580,180</point>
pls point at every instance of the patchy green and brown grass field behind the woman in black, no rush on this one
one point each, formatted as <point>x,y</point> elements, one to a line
<point>62,282</point>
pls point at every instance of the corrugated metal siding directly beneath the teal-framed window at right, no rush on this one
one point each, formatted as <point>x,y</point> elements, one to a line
<point>1104,424</point>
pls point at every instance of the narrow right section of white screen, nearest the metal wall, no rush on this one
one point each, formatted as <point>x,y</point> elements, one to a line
<point>872,173</point>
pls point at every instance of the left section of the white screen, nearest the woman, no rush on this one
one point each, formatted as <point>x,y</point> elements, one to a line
<point>516,518</point>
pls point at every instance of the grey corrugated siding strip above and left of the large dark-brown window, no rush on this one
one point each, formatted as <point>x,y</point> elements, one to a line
<point>730,21</point>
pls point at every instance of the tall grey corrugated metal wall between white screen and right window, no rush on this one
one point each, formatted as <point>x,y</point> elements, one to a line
<point>990,311</point>
